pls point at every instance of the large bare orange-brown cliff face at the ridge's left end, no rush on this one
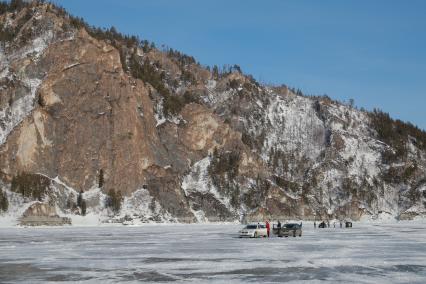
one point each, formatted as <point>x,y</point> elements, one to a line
<point>70,111</point>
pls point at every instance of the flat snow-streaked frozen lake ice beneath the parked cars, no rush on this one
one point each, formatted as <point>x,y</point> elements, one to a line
<point>367,253</point>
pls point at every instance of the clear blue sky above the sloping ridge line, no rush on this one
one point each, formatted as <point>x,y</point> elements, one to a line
<point>371,51</point>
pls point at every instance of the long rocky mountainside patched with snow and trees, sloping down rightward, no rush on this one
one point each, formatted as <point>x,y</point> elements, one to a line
<point>183,142</point>
